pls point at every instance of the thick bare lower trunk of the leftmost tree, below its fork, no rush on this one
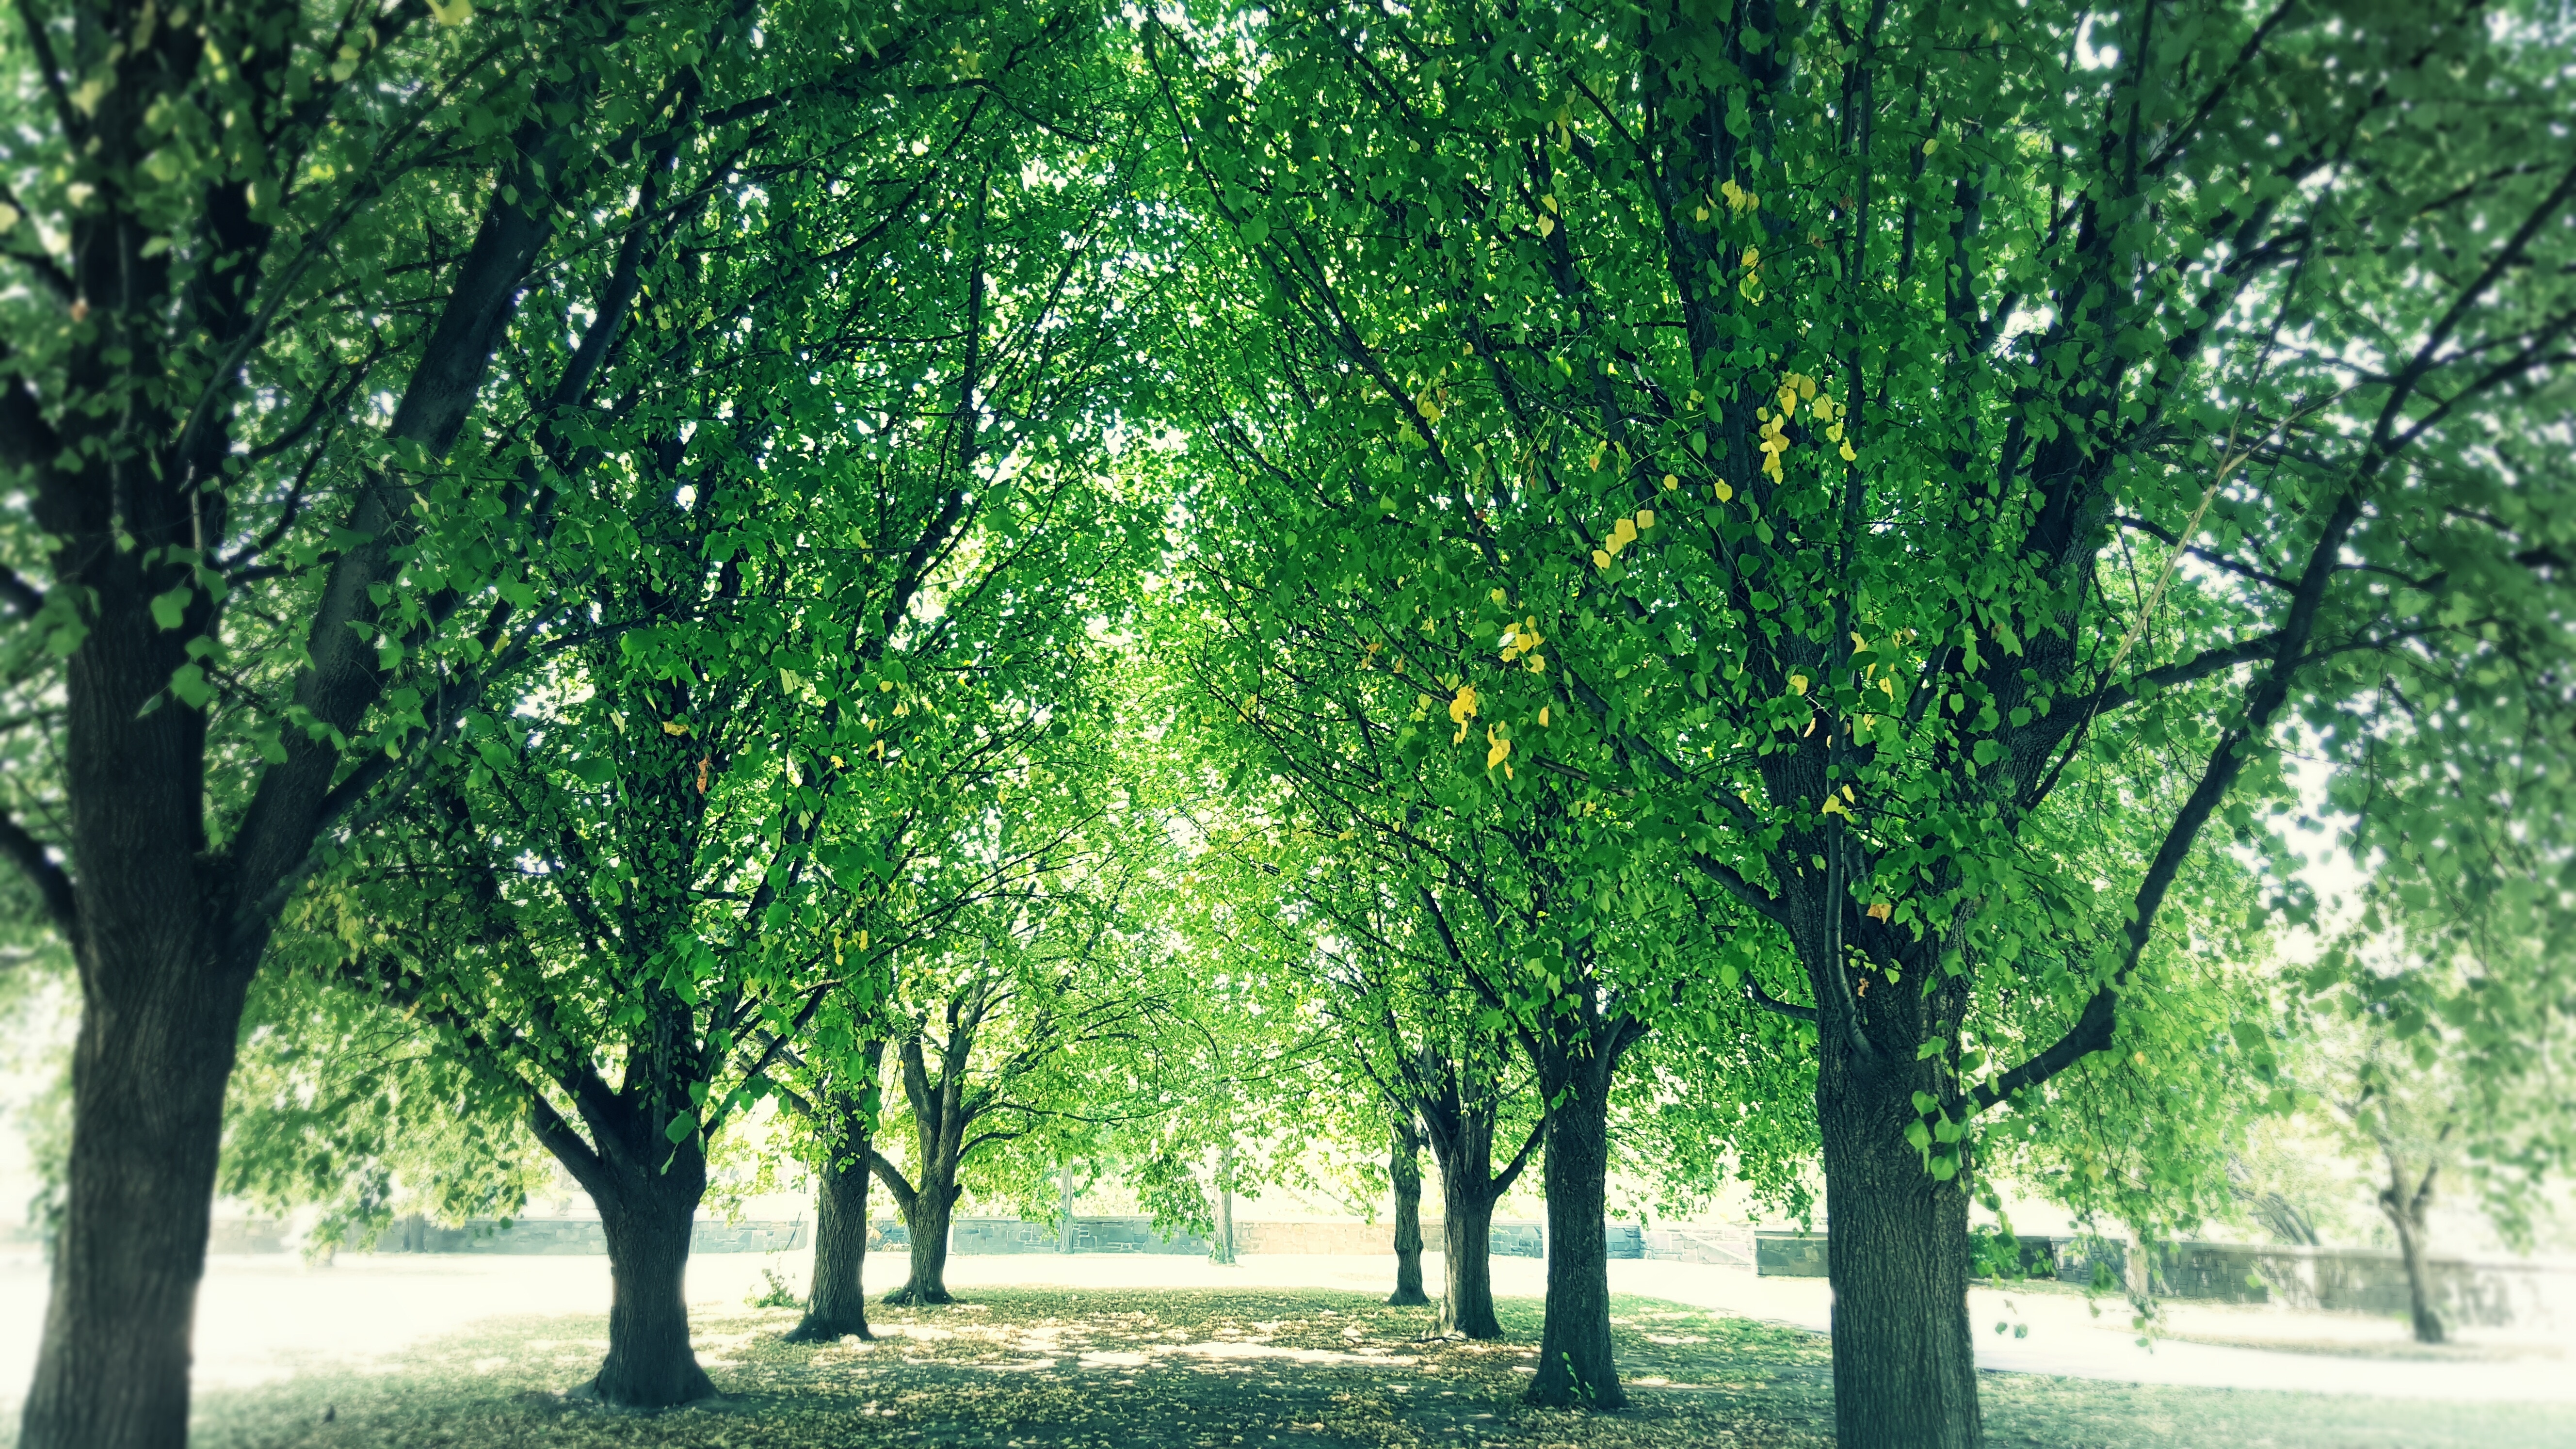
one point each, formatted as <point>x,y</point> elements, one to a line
<point>148,1107</point>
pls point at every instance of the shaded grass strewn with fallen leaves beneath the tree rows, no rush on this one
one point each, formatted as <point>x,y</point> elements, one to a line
<point>1238,1370</point>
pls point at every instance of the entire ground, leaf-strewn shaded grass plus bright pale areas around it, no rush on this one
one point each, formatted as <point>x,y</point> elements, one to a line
<point>1284,1352</point>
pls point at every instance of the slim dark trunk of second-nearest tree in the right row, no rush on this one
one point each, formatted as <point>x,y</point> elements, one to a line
<point>1575,1360</point>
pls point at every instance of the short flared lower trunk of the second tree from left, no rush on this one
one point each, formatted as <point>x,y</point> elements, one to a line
<point>650,1363</point>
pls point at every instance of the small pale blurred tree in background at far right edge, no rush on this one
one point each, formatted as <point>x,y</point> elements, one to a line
<point>2446,1035</point>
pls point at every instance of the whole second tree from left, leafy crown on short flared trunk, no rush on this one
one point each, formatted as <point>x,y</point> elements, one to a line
<point>638,888</point>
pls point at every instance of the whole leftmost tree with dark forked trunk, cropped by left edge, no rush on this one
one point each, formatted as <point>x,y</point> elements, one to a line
<point>277,509</point>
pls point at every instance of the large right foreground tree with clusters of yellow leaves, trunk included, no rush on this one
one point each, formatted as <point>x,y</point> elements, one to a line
<point>1807,383</point>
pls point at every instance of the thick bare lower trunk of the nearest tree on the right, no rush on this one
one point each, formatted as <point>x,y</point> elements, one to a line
<point>1905,1357</point>
